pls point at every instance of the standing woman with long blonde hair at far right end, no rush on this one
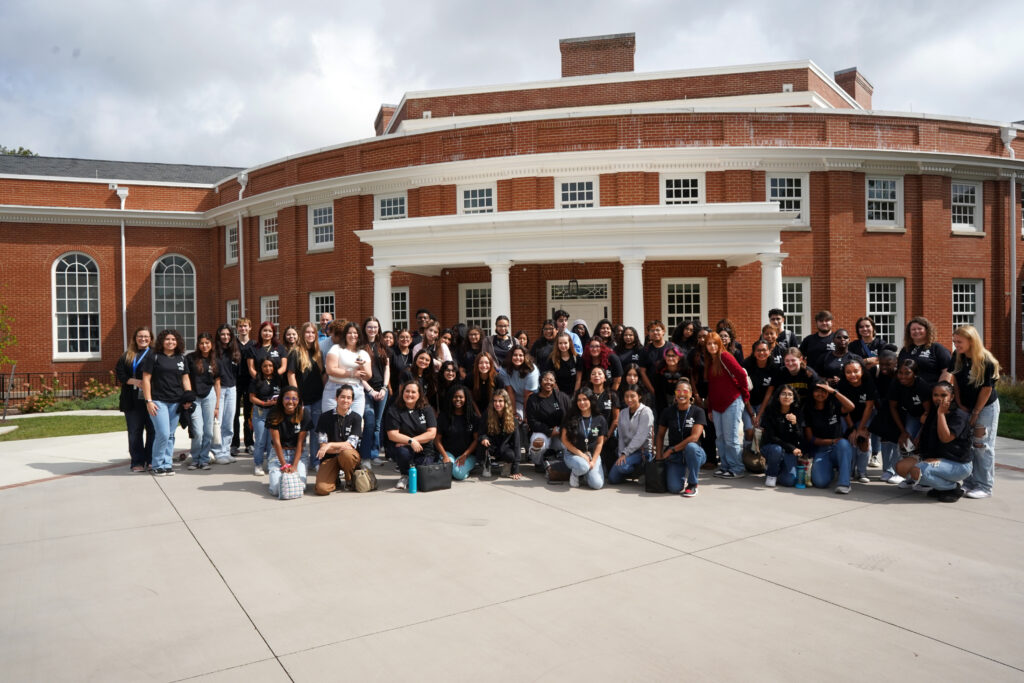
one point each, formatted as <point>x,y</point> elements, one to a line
<point>973,372</point>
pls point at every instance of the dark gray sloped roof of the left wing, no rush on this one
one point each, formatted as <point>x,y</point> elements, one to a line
<point>113,170</point>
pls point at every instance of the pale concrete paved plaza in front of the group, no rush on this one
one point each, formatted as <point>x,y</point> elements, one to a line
<point>116,577</point>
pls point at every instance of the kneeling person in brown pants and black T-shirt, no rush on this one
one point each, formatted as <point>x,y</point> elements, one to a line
<point>340,432</point>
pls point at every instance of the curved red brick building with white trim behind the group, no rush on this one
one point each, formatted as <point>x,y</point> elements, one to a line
<point>711,193</point>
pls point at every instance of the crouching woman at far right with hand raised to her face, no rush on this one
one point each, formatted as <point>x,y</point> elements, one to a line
<point>946,450</point>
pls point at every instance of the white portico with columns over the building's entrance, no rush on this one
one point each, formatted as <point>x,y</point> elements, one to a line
<point>736,233</point>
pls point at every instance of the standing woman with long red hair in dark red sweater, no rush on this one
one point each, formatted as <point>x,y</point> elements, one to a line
<point>728,393</point>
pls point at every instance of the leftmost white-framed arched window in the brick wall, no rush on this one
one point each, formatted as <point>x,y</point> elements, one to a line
<point>76,308</point>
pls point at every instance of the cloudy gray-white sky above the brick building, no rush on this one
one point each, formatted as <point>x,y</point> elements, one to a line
<point>239,84</point>
